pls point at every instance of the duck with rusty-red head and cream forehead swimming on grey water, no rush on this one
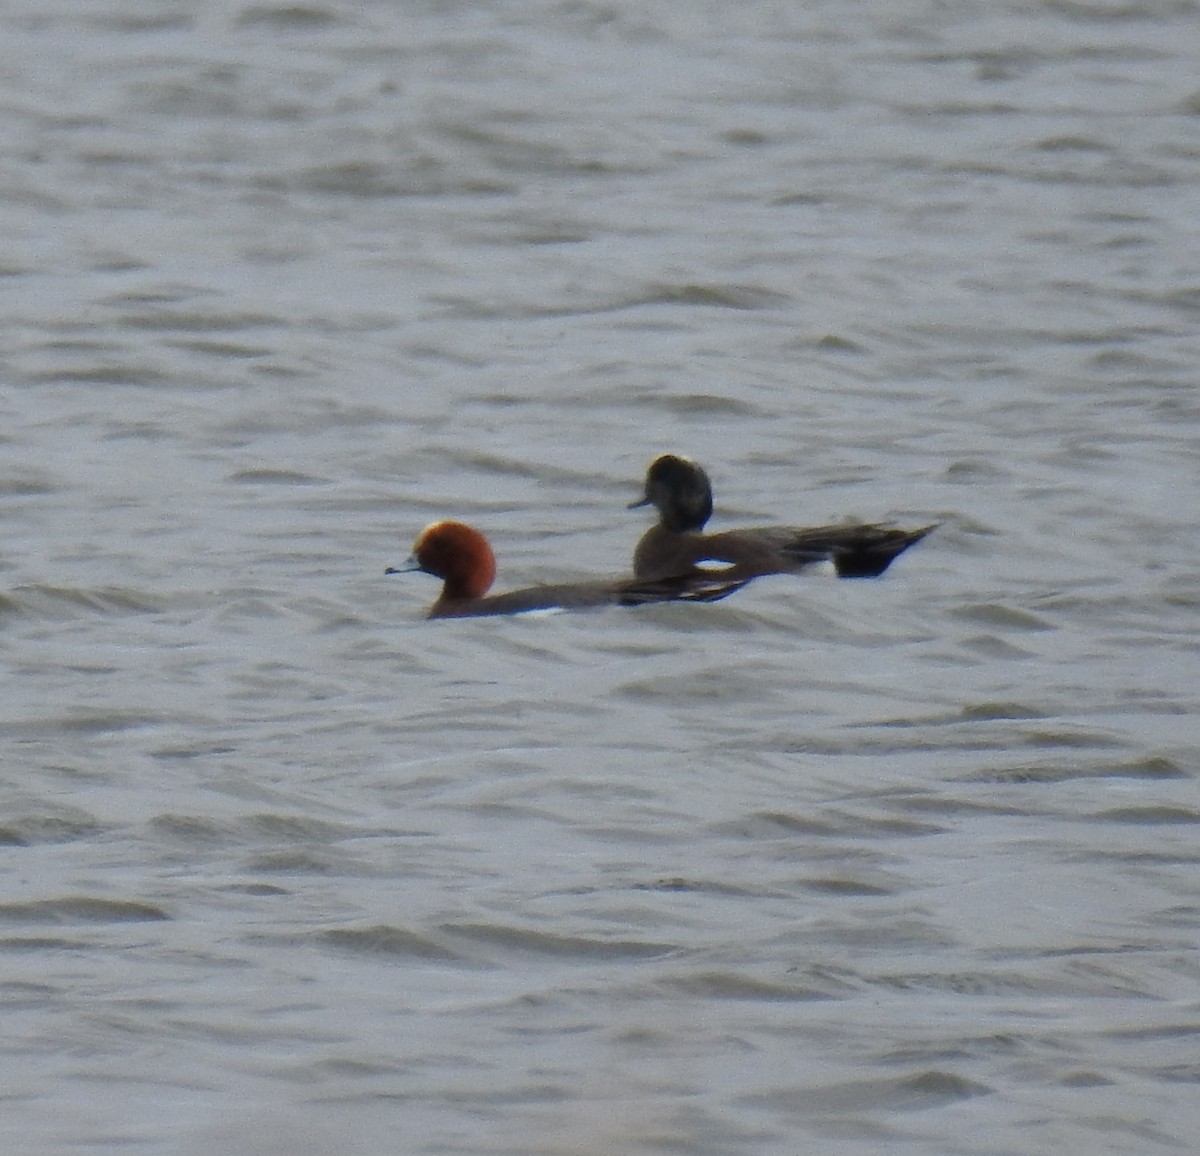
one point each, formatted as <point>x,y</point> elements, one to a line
<point>464,560</point>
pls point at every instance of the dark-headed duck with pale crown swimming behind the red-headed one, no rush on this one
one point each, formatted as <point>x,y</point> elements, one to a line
<point>677,547</point>
